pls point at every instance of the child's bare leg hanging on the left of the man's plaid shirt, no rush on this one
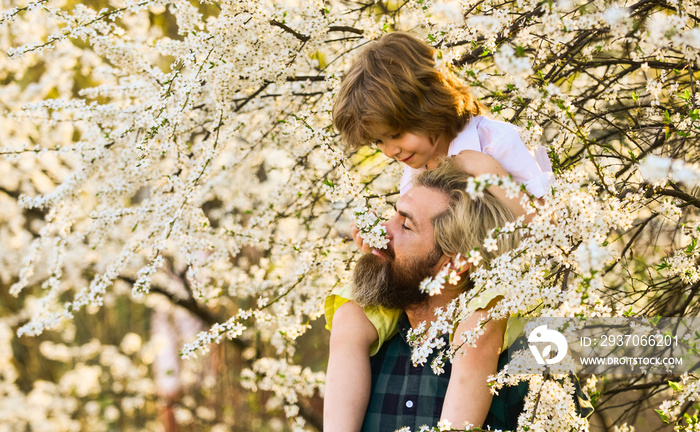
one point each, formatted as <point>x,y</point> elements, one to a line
<point>348,378</point>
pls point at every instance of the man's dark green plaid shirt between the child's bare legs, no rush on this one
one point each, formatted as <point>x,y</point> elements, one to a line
<point>405,395</point>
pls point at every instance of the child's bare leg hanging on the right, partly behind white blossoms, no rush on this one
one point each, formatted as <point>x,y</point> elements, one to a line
<point>468,398</point>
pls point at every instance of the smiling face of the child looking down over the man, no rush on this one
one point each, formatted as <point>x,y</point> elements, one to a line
<point>412,149</point>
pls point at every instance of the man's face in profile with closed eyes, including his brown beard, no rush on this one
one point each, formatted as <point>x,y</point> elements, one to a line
<point>391,277</point>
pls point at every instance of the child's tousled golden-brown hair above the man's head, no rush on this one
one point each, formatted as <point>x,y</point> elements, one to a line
<point>394,84</point>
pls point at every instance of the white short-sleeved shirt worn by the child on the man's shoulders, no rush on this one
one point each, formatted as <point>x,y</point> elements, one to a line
<point>501,141</point>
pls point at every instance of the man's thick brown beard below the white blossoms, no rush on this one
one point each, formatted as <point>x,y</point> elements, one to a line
<point>391,284</point>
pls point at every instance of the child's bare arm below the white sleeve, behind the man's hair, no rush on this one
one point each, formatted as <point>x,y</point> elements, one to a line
<point>476,163</point>
